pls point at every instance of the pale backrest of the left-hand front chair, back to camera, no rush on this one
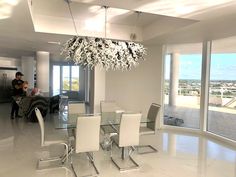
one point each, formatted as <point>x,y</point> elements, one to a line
<point>87,134</point>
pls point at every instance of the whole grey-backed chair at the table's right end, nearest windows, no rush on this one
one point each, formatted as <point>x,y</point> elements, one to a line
<point>151,126</point>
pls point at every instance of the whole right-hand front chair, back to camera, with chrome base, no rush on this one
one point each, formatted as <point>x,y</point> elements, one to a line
<point>128,136</point>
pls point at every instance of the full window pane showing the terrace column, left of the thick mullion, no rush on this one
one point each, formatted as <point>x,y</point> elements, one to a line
<point>183,86</point>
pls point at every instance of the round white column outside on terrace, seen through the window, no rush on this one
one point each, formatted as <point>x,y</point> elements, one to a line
<point>174,79</point>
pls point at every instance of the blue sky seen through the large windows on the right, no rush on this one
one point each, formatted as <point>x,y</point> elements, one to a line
<point>223,66</point>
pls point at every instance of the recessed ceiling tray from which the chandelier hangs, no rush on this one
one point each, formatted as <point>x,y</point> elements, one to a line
<point>90,21</point>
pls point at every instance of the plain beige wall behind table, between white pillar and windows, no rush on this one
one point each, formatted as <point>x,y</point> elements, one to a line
<point>135,90</point>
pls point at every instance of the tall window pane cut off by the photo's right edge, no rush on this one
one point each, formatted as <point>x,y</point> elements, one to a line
<point>222,91</point>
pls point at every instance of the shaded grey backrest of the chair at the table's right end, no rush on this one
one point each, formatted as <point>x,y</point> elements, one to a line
<point>152,115</point>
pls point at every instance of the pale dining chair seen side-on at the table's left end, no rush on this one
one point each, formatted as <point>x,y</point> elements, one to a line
<point>45,143</point>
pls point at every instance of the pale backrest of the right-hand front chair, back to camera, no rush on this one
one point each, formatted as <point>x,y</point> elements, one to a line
<point>129,129</point>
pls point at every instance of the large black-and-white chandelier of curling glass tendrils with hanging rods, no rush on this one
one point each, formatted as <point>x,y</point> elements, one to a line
<point>103,52</point>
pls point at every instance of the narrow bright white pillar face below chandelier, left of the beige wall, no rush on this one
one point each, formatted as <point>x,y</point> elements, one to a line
<point>99,88</point>
